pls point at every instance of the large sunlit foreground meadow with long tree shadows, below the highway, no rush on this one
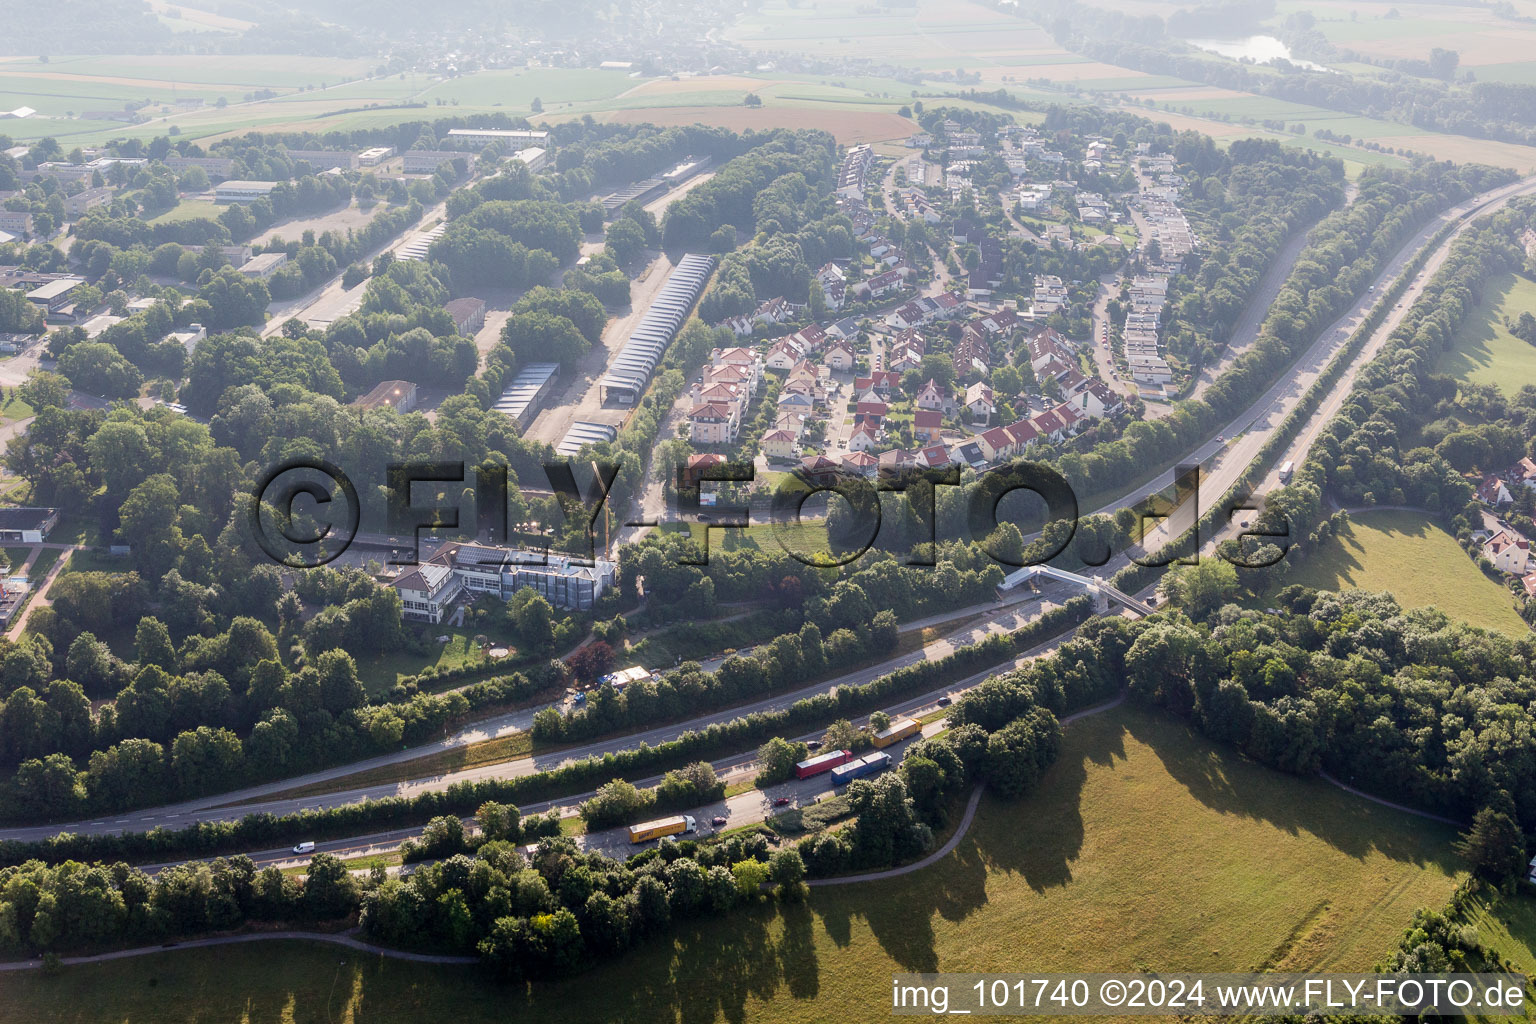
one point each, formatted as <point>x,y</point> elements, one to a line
<point>1144,848</point>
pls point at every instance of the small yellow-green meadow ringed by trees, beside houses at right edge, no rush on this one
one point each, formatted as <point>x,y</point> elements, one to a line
<point>1418,563</point>
